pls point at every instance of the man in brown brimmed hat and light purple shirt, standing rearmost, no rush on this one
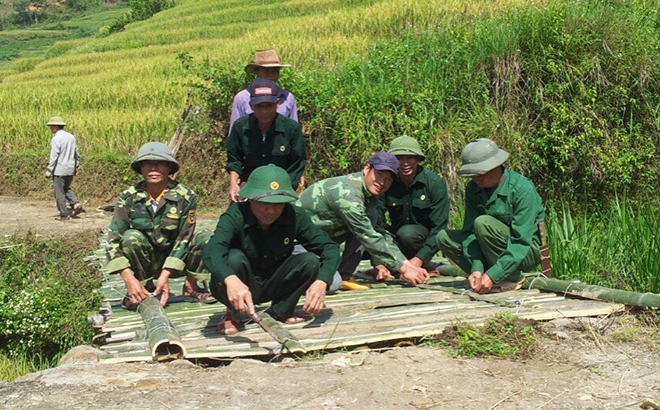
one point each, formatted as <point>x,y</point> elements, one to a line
<point>266,66</point>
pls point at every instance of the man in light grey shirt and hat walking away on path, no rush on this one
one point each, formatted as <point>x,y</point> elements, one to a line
<point>62,166</point>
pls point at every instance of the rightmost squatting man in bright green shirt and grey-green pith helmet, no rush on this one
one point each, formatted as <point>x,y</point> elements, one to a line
<point>500,236</point>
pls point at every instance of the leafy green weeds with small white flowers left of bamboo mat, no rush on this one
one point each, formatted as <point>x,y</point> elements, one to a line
<point>46,291</point>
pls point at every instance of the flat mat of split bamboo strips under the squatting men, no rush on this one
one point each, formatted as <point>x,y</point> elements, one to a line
<point>384,313</point>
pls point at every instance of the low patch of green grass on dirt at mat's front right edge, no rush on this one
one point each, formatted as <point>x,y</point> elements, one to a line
<point>502,336</point>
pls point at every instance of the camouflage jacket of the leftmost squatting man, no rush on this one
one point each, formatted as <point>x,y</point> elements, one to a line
<point>169,230</point>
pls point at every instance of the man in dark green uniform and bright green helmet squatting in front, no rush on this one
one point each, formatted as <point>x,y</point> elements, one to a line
<point>250,255</point>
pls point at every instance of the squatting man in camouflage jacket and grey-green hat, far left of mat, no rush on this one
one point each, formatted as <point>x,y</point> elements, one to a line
<point>152,232</point>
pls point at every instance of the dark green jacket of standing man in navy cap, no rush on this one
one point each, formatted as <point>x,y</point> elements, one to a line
<point>283,145</point>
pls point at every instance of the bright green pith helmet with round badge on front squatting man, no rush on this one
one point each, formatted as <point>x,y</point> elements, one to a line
<point>269,183</point>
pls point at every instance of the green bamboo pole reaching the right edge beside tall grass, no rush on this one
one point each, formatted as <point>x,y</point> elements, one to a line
<point>593,292</point>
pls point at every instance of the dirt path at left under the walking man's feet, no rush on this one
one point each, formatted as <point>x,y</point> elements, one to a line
<point>21,214</point>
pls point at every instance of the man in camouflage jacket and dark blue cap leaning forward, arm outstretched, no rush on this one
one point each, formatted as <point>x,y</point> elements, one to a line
<point>346,208</point>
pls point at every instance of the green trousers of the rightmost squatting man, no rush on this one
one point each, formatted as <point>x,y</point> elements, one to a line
<point>492,236</point>
